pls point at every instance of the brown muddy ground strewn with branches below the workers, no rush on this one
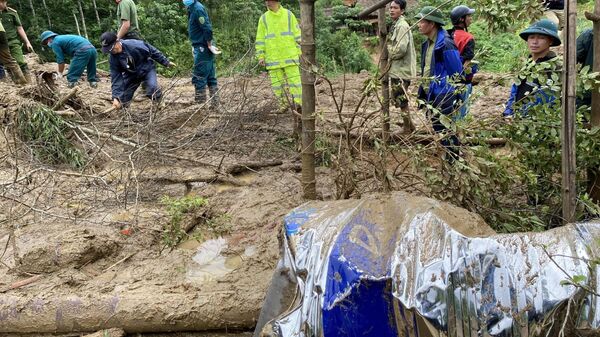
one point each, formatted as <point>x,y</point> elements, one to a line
<point>89,243</point>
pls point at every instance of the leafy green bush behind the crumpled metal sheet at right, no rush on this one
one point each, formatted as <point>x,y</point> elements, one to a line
<point>518,188</point>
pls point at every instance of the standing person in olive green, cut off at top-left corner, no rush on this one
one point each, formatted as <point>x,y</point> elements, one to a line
<point>14,30</point>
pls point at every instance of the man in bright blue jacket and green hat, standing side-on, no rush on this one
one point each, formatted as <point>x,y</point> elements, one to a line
<point>441,66</point>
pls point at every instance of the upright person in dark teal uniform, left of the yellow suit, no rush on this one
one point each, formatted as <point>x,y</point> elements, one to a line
<point>201,35</point>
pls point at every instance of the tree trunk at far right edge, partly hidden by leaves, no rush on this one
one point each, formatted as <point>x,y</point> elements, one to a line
<point>594,174</point>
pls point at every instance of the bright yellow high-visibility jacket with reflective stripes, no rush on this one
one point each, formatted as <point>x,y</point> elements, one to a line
<point>278,39</point>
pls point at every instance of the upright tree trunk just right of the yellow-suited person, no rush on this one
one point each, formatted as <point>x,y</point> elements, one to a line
<point>307,23</point>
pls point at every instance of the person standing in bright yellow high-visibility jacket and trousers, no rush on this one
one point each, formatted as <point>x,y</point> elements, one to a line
<point>278,49</point>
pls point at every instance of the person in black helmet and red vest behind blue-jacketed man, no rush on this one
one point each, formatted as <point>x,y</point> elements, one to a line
<point>462,17</point>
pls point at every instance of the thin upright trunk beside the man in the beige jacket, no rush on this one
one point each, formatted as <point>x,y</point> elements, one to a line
<point>385,81</point>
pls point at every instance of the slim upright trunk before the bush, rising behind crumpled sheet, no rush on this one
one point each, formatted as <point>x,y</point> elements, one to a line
<point>569,191</point>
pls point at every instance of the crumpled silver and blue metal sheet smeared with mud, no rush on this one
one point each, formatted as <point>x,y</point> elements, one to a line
<point>396,265</point>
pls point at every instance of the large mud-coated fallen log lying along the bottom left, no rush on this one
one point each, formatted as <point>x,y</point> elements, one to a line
<point>160,312</point>
